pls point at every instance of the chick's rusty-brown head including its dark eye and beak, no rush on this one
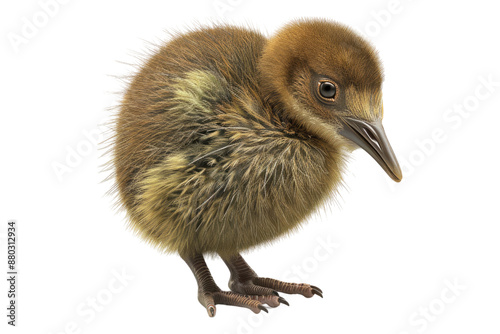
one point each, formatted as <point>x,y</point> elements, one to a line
<point>328,79</point>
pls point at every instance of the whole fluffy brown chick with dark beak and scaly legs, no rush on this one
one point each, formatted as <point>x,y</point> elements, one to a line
<point>226,140</point>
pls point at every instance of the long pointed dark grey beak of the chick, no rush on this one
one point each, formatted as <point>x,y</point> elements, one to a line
<point>371,137</point>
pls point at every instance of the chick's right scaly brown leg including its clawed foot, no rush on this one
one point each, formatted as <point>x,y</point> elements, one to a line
<point>244,280</point>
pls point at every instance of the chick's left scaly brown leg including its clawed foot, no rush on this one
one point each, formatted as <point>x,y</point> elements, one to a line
<point>209,294</point>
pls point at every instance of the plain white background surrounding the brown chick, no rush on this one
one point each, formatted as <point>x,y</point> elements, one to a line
<point>394,248</point>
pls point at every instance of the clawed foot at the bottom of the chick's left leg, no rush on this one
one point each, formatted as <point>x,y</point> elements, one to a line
<point>252,302</point>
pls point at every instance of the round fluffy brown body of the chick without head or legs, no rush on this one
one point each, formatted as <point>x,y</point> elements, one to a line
<point>200,157</point>
